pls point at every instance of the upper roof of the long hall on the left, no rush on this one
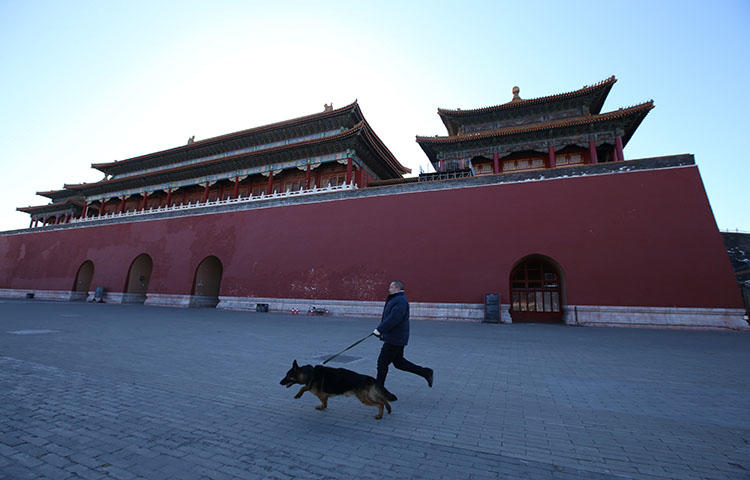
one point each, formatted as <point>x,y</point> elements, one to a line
<point>113,168</point>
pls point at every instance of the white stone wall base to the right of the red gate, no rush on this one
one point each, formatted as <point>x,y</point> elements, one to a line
<point>601,315</point>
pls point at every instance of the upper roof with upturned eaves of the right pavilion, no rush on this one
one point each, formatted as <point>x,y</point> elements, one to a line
<point>598,92</point>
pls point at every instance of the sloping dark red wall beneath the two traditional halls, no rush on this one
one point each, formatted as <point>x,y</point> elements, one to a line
<point>642,238</point>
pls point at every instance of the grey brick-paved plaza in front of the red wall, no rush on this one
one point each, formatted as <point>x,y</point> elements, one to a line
<point>99,391</point>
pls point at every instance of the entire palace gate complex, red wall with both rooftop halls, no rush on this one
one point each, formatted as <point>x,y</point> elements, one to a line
<point>532,199</point>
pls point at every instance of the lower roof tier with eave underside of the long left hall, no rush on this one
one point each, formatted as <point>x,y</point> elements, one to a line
<point>390,168</point>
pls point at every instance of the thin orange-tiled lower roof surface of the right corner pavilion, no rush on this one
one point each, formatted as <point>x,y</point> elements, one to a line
<point>623,112</point>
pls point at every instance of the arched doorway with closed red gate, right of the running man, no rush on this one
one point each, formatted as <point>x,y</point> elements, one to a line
<point>536,291</point>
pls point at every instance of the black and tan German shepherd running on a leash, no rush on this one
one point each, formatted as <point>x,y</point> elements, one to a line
<point>327,382</point>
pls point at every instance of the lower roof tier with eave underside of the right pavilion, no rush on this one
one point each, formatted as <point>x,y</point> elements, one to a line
<point>633,115</point>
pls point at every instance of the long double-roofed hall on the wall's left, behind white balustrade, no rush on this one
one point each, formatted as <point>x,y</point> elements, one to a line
<point>335,148</point>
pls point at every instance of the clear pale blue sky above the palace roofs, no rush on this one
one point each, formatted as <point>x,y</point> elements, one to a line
<point>88,82</point>
